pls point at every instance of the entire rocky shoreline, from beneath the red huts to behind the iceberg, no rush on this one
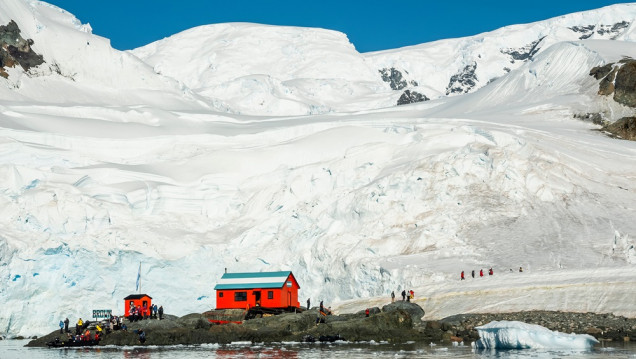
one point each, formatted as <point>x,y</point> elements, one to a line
<point>395,323</point>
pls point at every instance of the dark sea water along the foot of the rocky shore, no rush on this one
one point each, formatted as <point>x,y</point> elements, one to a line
<point>14,349</point>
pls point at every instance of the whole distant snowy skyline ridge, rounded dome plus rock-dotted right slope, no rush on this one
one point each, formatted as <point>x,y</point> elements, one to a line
<point>272,70</point>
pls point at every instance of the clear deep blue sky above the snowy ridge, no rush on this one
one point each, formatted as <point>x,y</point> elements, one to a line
<point>371,25</point>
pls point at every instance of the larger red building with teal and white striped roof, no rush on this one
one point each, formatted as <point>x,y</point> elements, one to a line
<point>264,289</point>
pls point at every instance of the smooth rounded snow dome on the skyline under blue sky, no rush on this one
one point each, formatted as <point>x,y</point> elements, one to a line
<point>262,69</point>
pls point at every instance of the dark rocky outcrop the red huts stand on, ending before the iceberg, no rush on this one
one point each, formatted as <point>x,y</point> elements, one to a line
<point>394,323</point>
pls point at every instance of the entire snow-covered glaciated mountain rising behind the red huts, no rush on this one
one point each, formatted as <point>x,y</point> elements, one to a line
<point>171,155</point>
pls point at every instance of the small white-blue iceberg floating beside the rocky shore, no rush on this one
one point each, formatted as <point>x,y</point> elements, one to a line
<point>518,335</point>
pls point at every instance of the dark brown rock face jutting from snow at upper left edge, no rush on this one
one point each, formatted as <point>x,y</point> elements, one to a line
<point>14,50</point>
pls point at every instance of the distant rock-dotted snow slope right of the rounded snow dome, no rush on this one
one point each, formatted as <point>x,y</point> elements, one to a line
<point>488,56</point>
